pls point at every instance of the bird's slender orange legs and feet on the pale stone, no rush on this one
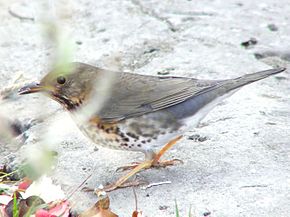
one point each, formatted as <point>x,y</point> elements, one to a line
<point>153,162</point>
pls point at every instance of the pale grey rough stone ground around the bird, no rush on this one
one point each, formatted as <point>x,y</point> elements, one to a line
<point>236,162</point>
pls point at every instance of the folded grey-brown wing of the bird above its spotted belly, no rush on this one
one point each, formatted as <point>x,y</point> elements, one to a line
<point>136,95</point>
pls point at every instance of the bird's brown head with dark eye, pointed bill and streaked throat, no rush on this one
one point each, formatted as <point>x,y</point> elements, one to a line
<point>70,85</point>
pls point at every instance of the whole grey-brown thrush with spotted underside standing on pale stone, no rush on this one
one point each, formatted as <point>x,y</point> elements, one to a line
<point>139,113</point>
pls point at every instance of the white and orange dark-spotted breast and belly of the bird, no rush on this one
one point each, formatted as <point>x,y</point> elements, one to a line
<point>140,133</point>
